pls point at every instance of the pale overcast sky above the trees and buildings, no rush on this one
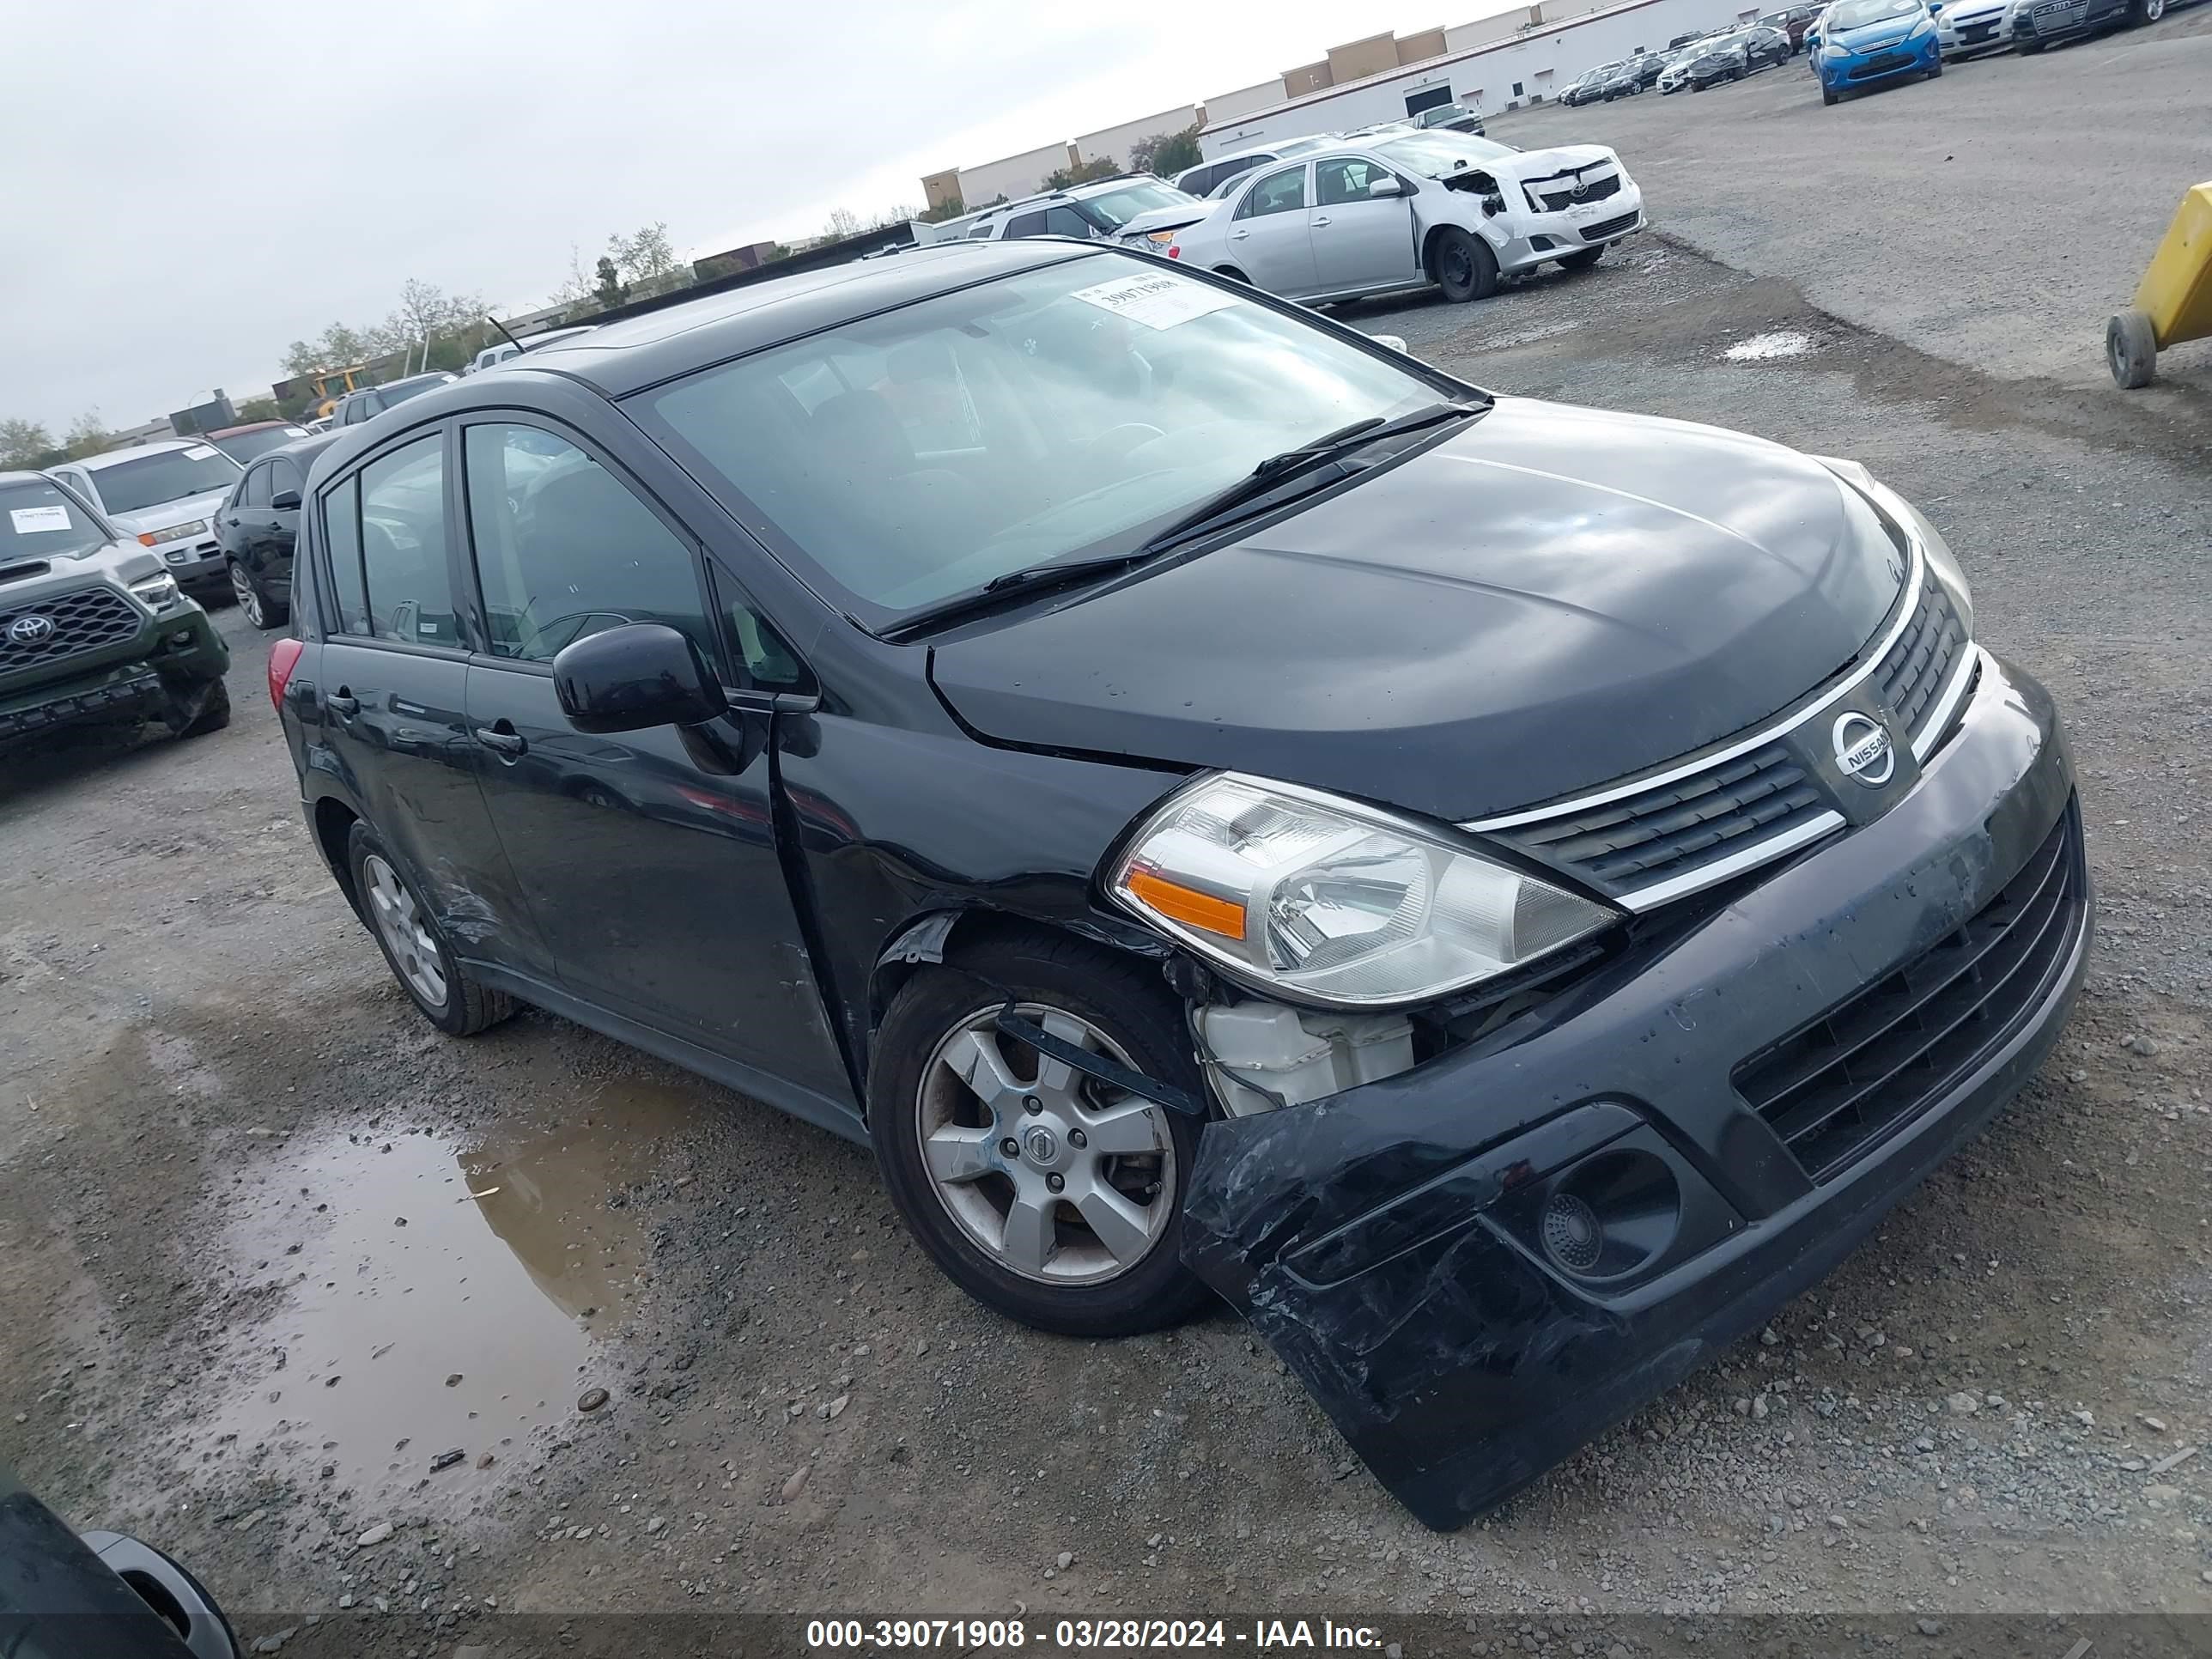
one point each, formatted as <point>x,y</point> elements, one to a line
<point>194,187</point>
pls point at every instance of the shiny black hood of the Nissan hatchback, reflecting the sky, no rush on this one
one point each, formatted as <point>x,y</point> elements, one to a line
<point>1550,601</point>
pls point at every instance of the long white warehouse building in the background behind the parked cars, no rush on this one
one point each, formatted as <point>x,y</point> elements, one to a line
<point>1530,65</point>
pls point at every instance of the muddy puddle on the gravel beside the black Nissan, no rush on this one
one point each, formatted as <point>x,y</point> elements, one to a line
<point>437,1293</point>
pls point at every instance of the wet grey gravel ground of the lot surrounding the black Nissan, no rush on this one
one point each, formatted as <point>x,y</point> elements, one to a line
<point>271,1246</point>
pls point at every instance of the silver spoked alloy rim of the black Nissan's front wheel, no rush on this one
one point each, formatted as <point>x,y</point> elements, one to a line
<point>1050,1173</point>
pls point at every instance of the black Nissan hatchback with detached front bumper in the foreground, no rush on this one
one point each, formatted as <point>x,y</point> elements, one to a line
<point>1503,895</point>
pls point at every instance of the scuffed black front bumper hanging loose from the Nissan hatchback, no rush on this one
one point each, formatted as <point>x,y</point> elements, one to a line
<point>1481,1264</point>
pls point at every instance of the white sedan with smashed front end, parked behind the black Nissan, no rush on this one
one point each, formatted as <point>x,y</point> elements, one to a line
<point>1443,209</point>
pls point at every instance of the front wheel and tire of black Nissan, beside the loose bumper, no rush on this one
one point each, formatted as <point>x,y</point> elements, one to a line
<point>1081,1229</point>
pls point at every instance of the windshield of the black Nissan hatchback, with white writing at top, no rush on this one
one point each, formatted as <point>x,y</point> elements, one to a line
<point>1063,413</point>
